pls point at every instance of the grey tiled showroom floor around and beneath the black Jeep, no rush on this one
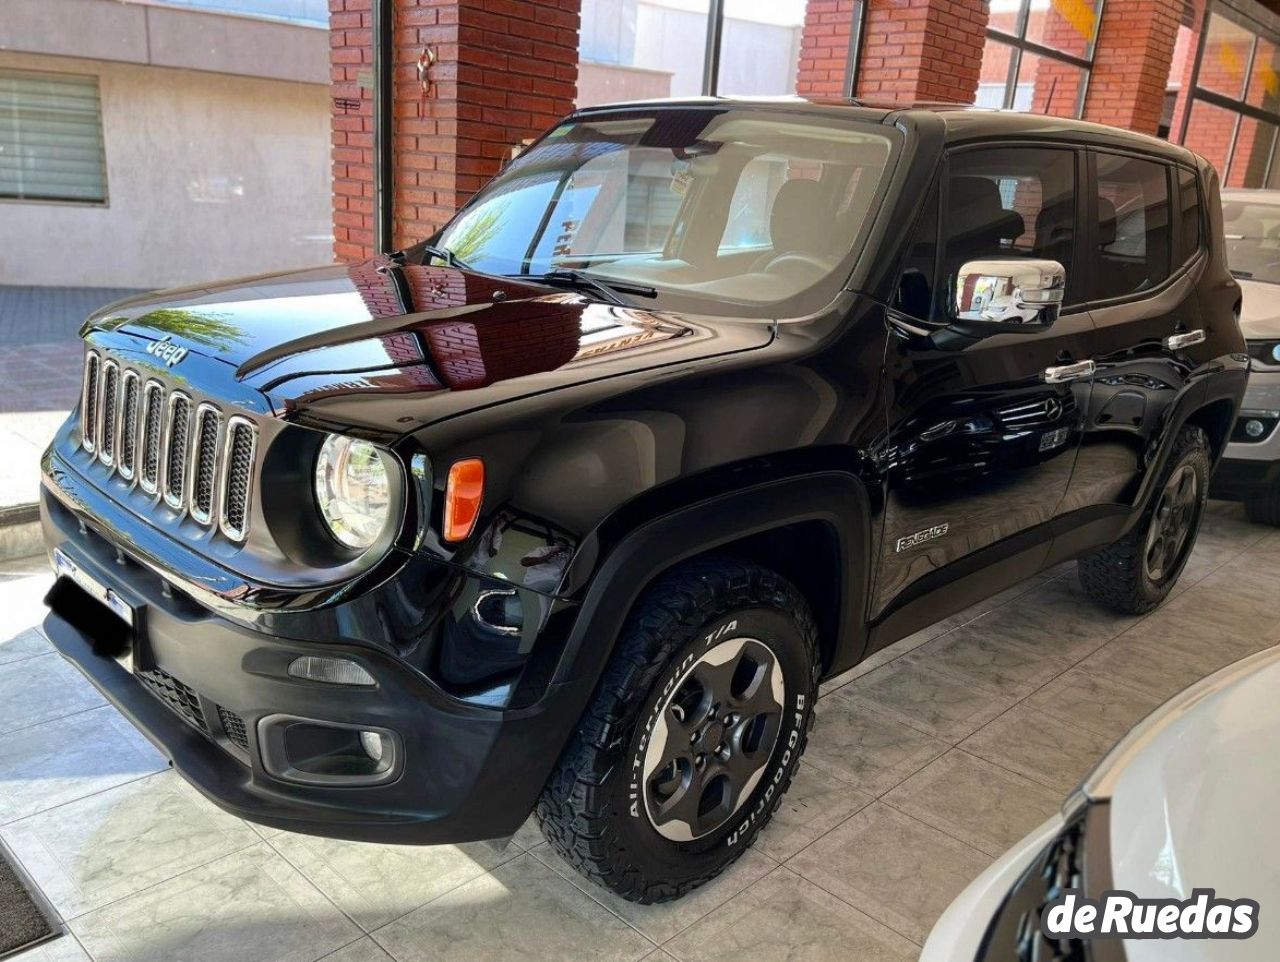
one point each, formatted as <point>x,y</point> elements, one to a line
<point>927,763</point>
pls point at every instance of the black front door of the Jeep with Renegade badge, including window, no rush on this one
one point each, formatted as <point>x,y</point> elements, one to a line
<point>982,438</point>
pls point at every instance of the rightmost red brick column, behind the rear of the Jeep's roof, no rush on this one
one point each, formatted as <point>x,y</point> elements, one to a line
<point>1132,63</point>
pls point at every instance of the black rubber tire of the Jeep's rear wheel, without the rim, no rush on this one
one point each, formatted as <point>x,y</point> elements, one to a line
<point>1116,576</point>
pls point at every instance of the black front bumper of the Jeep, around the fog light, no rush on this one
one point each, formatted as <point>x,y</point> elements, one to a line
<point>469,772</point>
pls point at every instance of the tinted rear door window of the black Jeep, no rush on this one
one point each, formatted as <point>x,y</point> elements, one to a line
<point>1133,233</point>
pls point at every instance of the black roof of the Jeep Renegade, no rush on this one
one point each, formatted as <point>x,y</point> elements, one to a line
<point>962,123</point>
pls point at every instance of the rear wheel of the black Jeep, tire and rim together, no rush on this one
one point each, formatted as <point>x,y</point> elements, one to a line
<point>1137,572</point>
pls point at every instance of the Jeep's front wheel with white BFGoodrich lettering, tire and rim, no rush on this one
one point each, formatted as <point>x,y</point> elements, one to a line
<point>693,735</point>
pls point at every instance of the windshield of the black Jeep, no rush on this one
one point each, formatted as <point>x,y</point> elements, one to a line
<point>714,210</point>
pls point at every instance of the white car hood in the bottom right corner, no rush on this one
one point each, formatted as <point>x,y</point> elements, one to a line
<point>1194,796</point>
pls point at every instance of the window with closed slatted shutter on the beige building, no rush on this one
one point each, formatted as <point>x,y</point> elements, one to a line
<point>52,138</point>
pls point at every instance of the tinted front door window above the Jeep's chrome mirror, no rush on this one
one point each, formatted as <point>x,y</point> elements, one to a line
<point>1009,203</point>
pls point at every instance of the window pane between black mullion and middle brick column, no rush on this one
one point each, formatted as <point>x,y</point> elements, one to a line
<point>761,47</point>
